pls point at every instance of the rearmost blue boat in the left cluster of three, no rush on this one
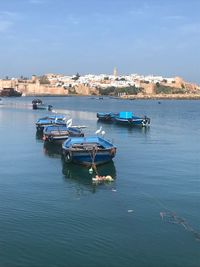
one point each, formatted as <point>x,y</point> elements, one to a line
<point>50,120</point>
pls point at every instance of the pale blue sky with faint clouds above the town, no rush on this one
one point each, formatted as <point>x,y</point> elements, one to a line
<point>93,36</point>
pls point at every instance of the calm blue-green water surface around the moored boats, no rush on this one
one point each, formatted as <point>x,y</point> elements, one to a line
<point>52,215</point>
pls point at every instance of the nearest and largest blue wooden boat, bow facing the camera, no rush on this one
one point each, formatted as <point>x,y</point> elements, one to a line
<point>88,150</point>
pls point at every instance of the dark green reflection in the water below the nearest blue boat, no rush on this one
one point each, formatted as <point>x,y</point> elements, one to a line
<point>80,175</point>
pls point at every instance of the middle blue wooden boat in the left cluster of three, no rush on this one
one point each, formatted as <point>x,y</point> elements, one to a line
<point>57,134</point>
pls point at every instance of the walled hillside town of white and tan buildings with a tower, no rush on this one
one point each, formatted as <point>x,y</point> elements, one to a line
<point>124,86</point>
